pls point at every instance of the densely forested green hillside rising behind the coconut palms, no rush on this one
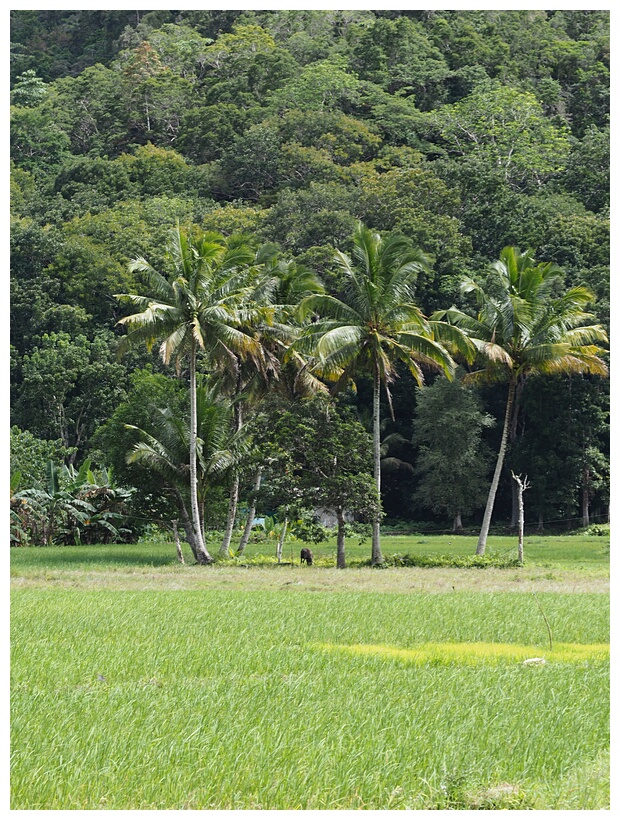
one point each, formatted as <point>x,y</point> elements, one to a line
<point>463,131</point>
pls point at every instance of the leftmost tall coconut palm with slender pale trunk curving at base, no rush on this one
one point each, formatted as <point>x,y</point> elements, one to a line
<point>197,307</point>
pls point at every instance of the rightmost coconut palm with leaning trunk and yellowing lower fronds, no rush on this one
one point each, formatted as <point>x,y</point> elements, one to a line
<point>522,327</point>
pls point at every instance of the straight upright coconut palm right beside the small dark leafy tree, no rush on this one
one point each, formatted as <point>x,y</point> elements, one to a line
<point>375,326</point>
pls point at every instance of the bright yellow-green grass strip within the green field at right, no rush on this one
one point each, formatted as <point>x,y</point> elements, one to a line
<point>476,652</point>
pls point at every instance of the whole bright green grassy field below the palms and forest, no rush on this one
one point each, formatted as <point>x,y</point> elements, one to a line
<point>141,684</point>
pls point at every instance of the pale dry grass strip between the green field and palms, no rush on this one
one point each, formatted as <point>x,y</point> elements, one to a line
<point>319,579</point>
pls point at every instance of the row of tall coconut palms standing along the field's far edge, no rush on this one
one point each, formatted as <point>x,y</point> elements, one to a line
<point>262,323</point>
